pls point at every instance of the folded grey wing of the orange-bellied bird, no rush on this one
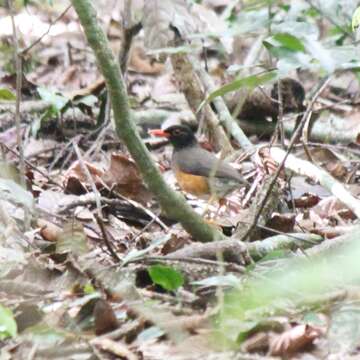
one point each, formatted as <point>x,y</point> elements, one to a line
<point>198,161</point>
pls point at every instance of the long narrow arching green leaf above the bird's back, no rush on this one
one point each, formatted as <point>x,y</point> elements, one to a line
<point>250,82</point>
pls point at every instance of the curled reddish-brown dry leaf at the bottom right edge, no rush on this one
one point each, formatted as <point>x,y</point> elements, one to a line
<point>293,340</point>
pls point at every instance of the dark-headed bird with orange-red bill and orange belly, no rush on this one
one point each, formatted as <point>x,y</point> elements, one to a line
<point>198,171</point>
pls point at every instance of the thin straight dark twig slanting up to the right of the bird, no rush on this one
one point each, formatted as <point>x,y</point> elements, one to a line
<point>281,165</point>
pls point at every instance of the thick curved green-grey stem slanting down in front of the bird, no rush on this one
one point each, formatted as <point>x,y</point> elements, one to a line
<point>172,203</point>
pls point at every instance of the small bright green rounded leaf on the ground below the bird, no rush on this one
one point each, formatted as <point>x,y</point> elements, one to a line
<point>166,276</point>
